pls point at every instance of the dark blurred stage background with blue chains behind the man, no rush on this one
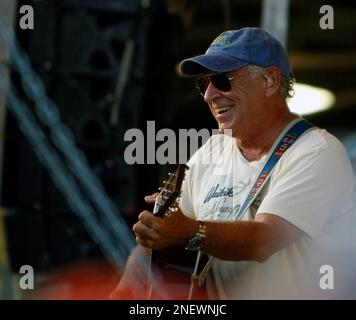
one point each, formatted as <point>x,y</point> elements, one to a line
<point>109,66</point>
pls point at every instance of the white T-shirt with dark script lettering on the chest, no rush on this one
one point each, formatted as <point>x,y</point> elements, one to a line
<point>310,187</point>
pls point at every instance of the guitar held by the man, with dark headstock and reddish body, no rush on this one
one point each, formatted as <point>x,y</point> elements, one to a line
<point>171,269</point>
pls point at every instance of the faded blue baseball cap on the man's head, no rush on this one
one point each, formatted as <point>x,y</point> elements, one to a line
<point>235,49</point>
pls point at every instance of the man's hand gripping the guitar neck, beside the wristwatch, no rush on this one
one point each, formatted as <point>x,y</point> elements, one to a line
<point>157,233</point>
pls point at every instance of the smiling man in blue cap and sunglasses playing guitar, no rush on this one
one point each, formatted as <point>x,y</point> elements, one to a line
<point>298,229</point>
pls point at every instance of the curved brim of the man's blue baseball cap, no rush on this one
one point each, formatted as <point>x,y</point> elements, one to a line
<point>209,62</point>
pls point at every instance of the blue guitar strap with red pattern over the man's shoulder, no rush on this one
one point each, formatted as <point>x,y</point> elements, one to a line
<point>285,140</point>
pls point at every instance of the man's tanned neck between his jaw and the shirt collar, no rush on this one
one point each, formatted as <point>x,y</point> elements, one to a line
<point>256,147</point>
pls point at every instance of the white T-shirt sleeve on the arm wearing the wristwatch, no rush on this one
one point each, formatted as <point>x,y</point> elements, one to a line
<point>309,188</point>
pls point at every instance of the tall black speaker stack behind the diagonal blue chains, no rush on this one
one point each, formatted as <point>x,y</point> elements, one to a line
<point>92,57</point>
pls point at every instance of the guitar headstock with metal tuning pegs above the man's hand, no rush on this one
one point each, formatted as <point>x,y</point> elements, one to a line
<point>167,200</point>
